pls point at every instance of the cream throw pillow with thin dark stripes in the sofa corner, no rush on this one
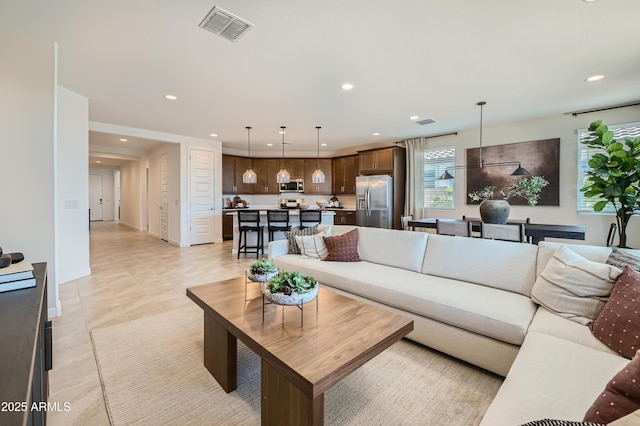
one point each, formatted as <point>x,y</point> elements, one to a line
<point>574,287</point>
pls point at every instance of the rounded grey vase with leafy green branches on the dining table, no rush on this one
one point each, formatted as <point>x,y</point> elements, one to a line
<point>497,211</point>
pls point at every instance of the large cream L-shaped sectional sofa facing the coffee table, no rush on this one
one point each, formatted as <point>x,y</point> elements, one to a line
<point>471,298</point>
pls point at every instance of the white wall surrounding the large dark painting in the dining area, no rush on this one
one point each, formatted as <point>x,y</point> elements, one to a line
<point>565,127</point>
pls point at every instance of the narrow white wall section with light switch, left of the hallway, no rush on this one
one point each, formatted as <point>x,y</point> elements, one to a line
<point>72,188</point>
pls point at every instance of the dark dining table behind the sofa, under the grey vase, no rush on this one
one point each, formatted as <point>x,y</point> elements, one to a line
<point>535,231</point>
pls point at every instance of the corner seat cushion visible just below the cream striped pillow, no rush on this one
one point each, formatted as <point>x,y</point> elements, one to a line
<point>547,322</point>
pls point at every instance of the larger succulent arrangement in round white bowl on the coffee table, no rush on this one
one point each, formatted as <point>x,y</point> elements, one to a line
<point>291,288</point>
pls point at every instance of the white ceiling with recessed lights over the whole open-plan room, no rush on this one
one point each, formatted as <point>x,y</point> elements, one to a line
<point>430,58</point>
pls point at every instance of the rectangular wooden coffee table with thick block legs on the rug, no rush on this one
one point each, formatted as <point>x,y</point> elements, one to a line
<point>298,363</point>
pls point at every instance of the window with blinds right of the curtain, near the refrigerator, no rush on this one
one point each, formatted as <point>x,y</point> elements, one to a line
<point>439,194</point>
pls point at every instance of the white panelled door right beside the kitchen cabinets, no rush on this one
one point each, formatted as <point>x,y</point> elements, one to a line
<point>202,205</point>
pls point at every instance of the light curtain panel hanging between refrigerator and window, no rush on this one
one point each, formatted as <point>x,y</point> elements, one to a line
<point>414,202</point>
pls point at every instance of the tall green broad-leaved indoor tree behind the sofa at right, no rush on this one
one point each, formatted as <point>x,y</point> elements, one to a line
<point>615,175</point>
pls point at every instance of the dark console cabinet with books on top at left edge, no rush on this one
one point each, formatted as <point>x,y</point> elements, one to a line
<point>25,353</point>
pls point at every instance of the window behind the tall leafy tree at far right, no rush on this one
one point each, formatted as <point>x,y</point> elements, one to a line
<point>621,132</point>
